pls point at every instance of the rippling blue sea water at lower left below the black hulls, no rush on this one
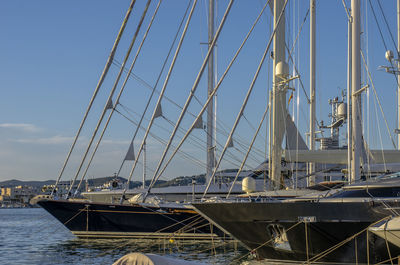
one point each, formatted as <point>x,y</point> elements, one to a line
<point>32,236</point>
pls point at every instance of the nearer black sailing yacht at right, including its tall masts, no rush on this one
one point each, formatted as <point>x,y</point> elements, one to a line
<point>335,227</point>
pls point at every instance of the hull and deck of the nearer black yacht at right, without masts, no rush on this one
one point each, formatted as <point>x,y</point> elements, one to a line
<point>330,228</point>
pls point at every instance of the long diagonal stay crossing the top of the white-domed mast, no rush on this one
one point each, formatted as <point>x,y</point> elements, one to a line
<point>246,99</point>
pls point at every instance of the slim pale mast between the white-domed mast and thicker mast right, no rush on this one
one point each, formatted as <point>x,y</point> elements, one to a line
<point>311,180</point>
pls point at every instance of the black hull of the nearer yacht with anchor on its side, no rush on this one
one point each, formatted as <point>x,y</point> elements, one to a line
<point>309,228</point>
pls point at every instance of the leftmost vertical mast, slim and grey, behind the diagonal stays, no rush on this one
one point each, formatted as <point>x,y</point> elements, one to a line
<point>210,108</point>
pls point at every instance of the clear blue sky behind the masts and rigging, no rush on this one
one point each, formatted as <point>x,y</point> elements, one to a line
<point>53,52</point>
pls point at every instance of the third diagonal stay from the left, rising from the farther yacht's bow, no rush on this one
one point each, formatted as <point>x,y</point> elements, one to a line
<point>124,84</point>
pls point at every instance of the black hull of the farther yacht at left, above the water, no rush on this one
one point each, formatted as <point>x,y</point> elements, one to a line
<point>129,221</point>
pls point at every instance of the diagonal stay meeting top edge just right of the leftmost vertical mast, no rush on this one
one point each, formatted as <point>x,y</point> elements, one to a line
<point>195,85</point>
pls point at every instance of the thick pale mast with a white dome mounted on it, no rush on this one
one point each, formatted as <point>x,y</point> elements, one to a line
<point>279,97</point>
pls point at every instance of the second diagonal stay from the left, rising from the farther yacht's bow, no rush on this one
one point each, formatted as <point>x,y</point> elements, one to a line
<point>109,100</point>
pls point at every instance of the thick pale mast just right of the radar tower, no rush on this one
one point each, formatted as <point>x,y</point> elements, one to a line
<point>355,87</point>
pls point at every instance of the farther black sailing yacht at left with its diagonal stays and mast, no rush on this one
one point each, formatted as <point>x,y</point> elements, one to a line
<point>142,216</point>
